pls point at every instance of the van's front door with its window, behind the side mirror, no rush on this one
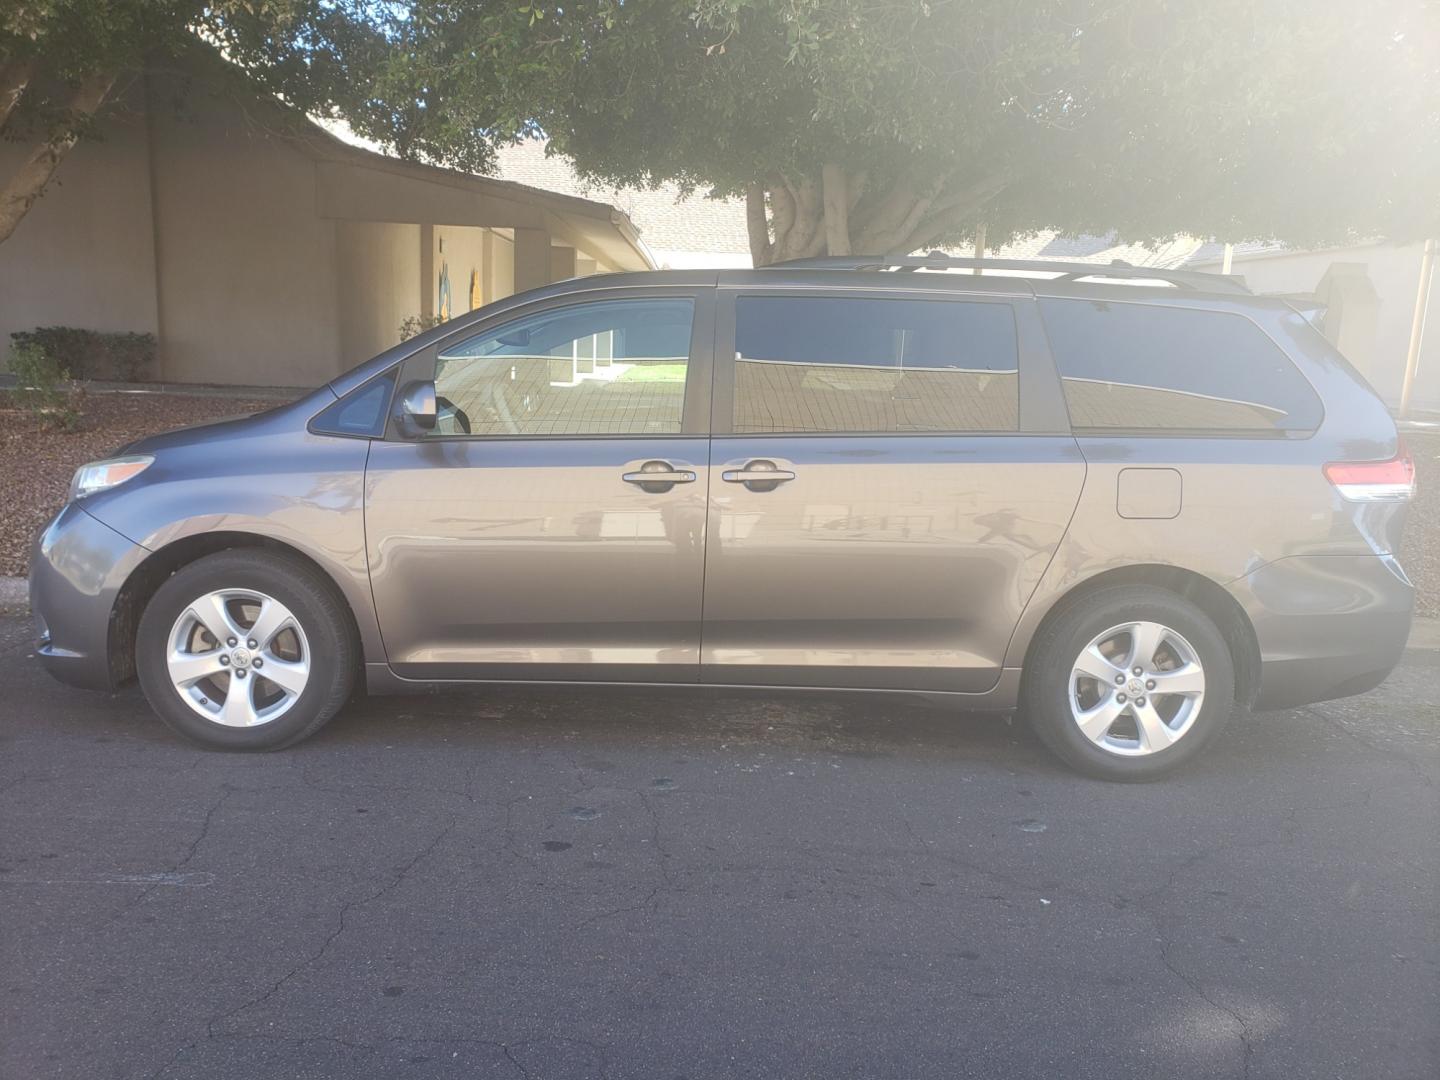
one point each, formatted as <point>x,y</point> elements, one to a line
<point>554,525</point>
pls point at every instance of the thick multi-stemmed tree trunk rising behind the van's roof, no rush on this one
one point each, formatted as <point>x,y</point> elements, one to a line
<point>834,212</point>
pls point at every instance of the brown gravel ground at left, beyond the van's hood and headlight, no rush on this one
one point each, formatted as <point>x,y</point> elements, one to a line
<point>38,464</point>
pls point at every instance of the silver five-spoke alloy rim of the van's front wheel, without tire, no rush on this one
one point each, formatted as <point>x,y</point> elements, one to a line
<point>238,657</point>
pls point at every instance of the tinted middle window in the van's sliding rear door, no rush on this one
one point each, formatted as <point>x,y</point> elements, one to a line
<point>832,365</point>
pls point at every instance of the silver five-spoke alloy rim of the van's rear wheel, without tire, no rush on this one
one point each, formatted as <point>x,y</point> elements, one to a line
<point>1137,689</point>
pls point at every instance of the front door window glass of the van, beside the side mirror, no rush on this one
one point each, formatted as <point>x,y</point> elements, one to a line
<point>606,368</point>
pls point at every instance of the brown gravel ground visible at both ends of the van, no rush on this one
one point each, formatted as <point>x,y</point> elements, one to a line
<point>38,467</point>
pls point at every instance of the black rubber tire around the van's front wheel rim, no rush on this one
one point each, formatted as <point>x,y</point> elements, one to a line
<point>333,652</point>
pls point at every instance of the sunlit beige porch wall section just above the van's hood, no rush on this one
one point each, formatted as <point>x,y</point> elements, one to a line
<point>379,286</point>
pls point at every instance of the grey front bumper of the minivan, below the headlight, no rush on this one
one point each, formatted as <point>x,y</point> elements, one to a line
<point>77,571</point>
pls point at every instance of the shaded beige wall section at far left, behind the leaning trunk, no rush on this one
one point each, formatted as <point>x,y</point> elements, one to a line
<point>84,256</point>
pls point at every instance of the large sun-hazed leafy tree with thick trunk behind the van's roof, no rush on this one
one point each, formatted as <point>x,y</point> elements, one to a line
<point>891,126</point>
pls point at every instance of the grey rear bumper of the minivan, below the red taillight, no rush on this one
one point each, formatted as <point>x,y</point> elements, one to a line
<point>1327,626</point>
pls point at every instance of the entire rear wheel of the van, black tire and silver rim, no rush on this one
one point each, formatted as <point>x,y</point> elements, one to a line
<point>1130,683</point>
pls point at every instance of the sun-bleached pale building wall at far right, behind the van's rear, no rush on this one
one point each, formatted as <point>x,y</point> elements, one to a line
<point>1395,271</point>
